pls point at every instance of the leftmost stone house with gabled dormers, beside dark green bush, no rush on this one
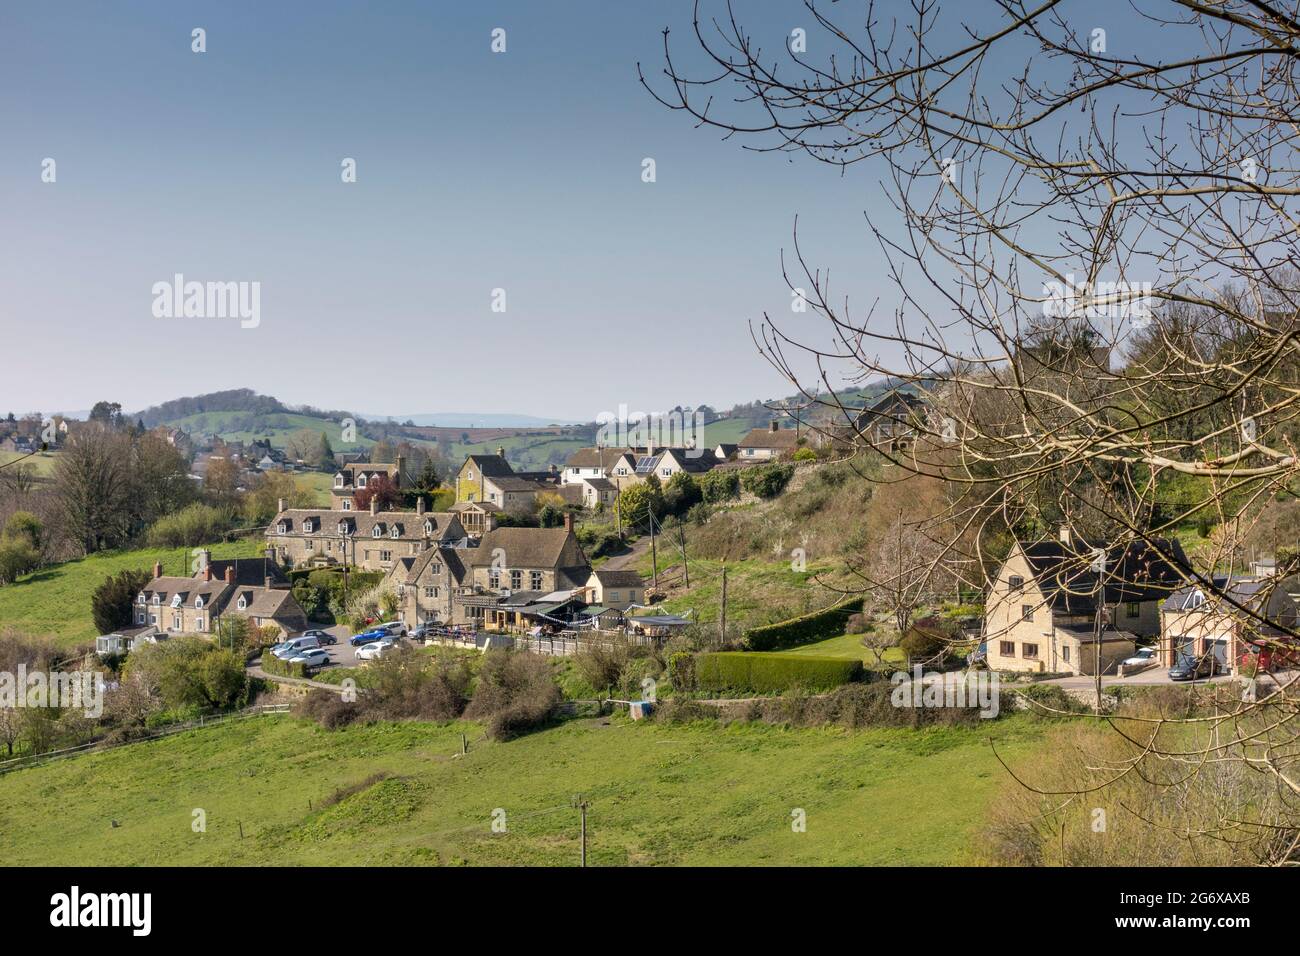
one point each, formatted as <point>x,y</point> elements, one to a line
<point>254,589</point>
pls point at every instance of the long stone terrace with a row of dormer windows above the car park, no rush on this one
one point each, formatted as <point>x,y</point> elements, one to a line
<point>372,539</point>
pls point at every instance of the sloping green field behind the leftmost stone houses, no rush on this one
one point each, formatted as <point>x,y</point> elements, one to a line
<point>55,600</point>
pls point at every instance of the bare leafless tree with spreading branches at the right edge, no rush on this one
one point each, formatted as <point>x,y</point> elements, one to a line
<point>1093,237</point>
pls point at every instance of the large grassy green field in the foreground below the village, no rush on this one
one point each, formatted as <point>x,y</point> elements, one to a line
<point>660,795</point>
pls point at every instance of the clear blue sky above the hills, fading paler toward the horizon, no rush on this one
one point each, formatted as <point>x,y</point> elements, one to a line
<point>475,172</point>
